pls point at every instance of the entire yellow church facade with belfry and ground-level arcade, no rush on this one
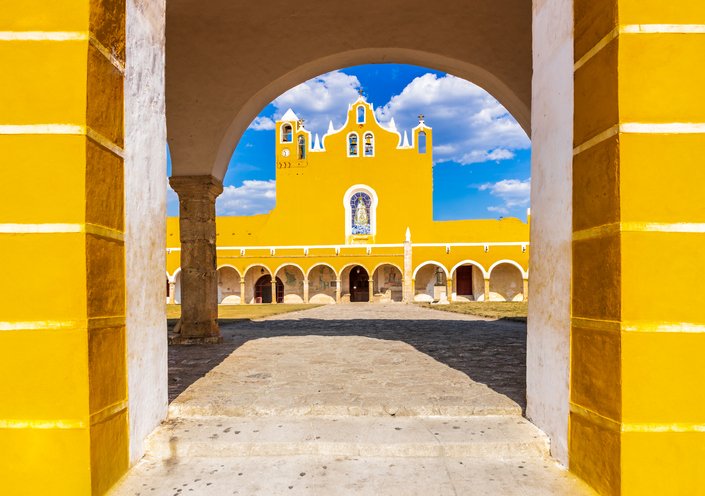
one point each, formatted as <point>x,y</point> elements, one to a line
<point>353,222</point>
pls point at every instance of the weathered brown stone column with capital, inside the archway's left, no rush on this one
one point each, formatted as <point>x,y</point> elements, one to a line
<point>199,281</point>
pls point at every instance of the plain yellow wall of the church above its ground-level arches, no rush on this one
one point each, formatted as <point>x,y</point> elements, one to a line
<point>310,208</point>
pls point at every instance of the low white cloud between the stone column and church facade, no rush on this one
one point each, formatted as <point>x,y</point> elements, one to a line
<point>253,197</point>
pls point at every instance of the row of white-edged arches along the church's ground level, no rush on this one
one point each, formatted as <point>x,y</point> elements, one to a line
<point>323,284</point>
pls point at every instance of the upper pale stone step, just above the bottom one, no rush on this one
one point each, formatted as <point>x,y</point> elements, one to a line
<point>490,436</point>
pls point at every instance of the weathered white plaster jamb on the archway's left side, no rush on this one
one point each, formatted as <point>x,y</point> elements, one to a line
<point>145,210</point>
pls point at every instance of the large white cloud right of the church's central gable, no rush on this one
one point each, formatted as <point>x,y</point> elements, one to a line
<point>469,125</point>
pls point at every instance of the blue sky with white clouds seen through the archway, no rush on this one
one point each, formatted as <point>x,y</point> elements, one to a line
<point>481,155</point>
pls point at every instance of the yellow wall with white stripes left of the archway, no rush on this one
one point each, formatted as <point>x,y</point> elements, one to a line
<point>63,414</point>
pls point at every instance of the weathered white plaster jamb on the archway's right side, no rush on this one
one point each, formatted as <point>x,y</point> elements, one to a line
<point>548,341</point>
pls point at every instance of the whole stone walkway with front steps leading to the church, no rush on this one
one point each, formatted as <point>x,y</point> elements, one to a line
<point>354,399</point>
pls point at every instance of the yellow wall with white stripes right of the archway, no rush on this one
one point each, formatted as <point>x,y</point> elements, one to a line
<point>638,325</point>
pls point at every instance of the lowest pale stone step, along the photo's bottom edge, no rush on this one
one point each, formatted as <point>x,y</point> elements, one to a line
<point>343,476</point>
